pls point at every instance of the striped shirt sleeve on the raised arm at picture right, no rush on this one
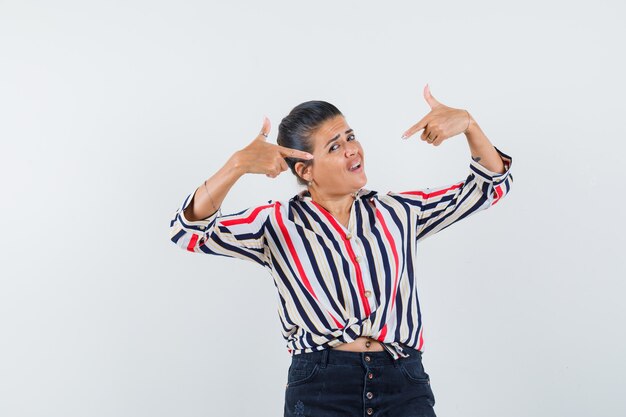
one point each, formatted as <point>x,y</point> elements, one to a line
<point>437,208</point>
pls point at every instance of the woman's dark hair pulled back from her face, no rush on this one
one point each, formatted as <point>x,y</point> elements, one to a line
<point>297,128</point>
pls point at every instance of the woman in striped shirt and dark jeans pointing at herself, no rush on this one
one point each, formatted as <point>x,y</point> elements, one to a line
<point>343,257</point>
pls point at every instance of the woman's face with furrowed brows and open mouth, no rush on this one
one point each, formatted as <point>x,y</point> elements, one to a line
<point>338,164</point>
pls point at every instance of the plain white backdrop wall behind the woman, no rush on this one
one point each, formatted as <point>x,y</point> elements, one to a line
<point>111,112</point>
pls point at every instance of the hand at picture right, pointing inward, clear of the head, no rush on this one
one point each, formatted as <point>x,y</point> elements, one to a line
<point>441,123</point>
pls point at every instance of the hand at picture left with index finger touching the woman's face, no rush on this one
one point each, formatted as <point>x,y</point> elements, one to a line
<point>262,157</point>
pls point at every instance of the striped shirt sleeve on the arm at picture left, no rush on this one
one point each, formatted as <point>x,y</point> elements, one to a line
<point>238,235</point>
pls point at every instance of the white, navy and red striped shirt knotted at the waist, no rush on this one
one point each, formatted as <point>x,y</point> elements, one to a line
<point>337,283</point>
